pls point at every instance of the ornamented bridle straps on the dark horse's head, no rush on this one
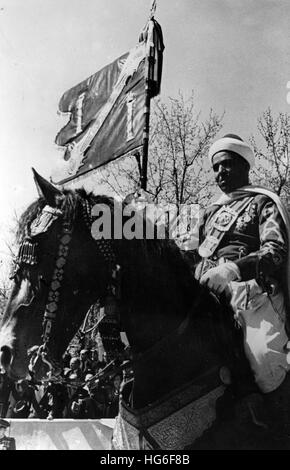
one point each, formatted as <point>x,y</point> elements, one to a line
<point>105,247</point>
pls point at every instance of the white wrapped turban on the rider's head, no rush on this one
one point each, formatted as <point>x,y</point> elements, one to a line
<point>232,144</point>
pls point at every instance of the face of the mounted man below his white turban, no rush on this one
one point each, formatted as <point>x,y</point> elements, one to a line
<point>231,172</point>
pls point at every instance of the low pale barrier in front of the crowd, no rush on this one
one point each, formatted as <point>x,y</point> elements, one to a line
<point>61,434</point>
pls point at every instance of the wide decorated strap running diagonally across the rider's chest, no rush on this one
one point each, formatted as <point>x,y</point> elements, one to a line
<point>220,223</point>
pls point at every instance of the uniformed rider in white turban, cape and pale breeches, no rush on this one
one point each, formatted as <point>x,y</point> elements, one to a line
<point>244,249</point>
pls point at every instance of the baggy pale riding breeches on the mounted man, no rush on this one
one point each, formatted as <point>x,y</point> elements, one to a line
<point>262,318</point>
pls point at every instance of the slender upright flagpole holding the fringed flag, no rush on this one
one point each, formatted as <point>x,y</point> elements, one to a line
<point>148,93</point>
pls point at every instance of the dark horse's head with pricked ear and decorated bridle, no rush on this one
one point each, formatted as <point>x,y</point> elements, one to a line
<point>60,272</point>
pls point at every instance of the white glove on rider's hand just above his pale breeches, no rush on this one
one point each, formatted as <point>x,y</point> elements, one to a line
<point>218,278</point>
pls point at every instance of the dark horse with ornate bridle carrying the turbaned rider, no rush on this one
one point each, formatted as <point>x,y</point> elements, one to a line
<point>180,337</point>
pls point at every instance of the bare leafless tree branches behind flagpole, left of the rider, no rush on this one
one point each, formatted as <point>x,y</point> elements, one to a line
<point>178,172</point>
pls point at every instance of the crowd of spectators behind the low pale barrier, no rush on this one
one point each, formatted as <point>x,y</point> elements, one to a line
<point>81,391</point>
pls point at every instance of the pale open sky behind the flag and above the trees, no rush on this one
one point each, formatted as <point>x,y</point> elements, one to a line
<point>234,54</point>
